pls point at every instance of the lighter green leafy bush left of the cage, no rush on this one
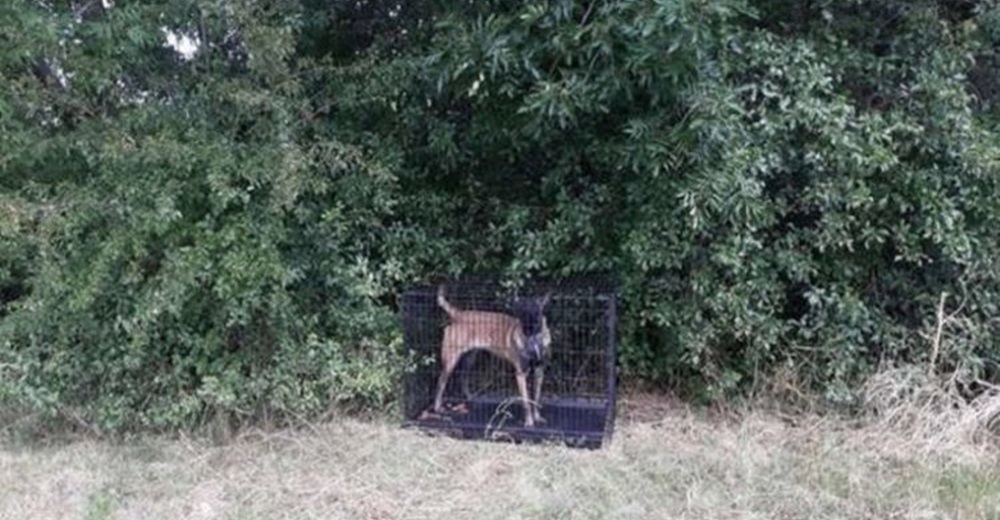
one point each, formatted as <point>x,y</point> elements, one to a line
<point>196,247</point>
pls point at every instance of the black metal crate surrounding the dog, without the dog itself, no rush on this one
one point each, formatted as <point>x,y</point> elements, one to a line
<point>481,398</point>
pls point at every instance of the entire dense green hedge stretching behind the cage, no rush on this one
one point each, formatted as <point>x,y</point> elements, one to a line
<point>775,184</point>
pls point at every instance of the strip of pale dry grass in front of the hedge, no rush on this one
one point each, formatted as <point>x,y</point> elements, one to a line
<point>665,462</point>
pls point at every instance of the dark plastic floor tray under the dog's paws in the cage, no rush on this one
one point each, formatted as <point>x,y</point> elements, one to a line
<point>573,422</point>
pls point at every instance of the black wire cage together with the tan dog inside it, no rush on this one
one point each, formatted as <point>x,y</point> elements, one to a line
<point>565,331</point>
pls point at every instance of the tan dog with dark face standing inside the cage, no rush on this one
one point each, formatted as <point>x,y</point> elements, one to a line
<point>522,341</point>
